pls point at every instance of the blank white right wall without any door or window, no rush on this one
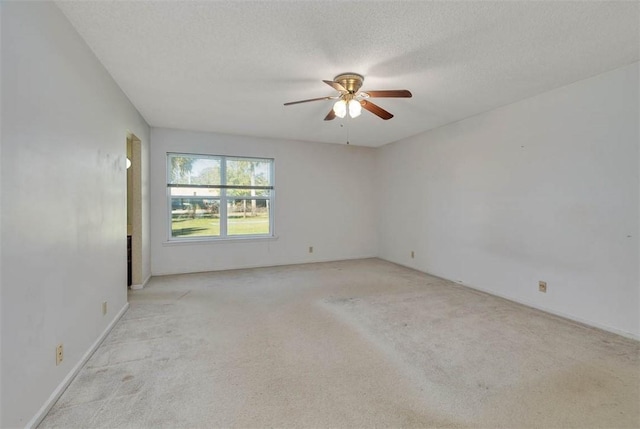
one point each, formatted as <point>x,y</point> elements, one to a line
<point>543,189</point>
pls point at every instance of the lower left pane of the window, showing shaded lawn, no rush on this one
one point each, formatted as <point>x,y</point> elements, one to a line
<point>195,217</point>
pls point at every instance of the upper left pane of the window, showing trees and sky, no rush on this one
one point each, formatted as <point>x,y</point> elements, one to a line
<point>194,170</point>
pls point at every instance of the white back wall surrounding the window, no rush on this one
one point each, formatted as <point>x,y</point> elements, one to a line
<point>324,198</point>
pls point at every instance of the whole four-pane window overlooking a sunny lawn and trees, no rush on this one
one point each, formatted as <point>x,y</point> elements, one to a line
<point>213,197</point>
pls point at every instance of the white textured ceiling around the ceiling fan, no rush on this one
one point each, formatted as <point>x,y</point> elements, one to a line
<point>228,66</point>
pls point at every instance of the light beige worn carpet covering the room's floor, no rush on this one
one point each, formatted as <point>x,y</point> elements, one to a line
<point>354,344</point>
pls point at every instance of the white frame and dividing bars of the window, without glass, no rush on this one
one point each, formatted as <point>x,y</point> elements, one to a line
<point>223,198</point>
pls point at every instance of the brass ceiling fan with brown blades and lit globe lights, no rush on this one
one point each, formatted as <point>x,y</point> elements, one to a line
<point>352,100</point>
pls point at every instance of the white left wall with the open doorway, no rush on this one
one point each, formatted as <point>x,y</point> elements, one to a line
<point>63,251</point>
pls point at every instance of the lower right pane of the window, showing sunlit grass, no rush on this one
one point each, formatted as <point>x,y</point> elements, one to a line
<point>247,217</point>
